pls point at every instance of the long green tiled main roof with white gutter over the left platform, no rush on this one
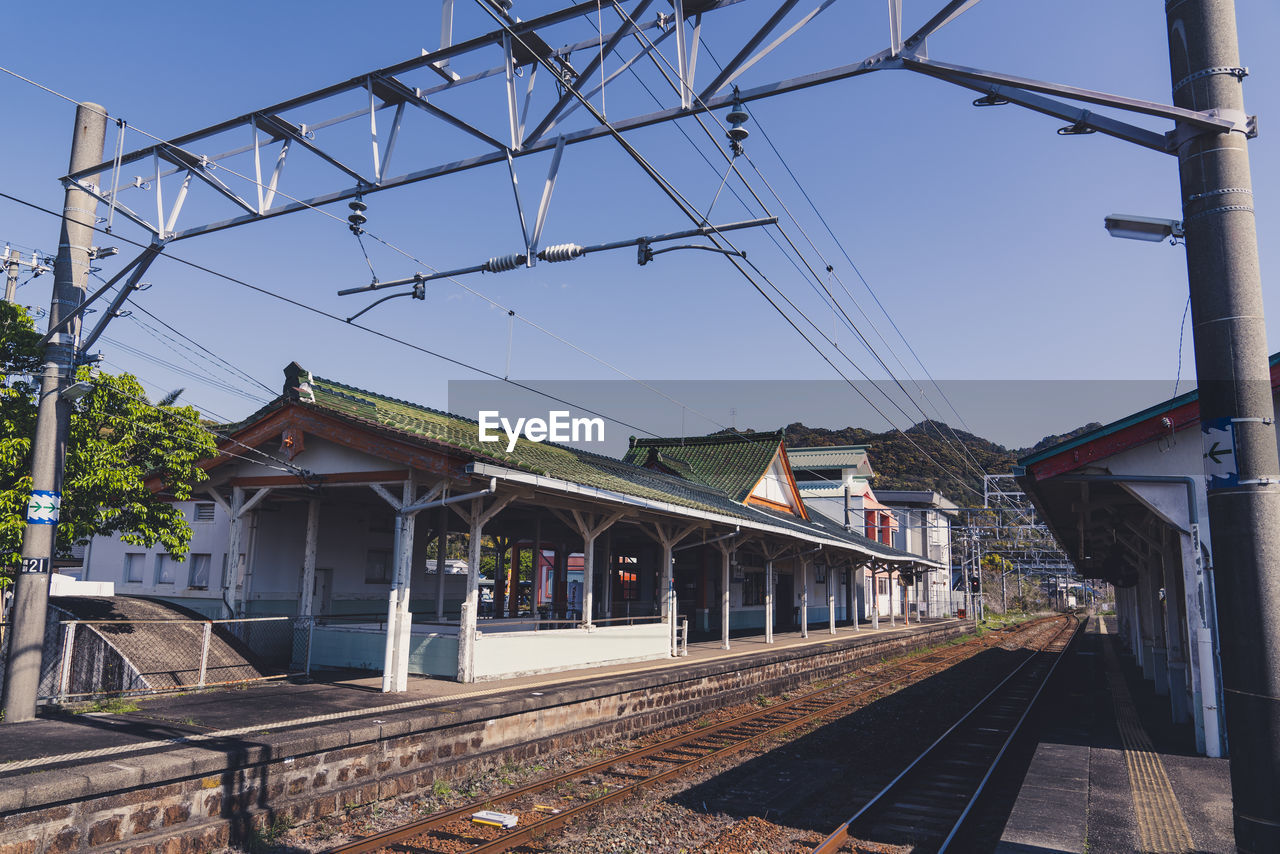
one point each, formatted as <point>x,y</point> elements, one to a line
<point>545,464</point>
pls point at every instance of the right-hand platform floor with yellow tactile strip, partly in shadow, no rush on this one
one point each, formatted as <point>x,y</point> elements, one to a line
<point>1110,774</point>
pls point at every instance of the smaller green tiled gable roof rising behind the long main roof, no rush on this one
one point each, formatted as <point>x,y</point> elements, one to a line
<point>732,463</point>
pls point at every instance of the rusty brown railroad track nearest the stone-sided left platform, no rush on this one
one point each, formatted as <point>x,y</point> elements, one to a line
<point>551,803</point>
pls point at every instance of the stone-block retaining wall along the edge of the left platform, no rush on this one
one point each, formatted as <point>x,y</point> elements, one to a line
<point>203,798</point>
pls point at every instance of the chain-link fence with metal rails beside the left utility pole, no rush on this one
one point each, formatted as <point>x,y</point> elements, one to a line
<point>95,659</point>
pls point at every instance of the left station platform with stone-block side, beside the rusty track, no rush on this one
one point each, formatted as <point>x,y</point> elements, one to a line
<point>207,766</point>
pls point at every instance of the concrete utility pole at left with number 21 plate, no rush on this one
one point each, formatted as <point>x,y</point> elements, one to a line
<point>53,424</point>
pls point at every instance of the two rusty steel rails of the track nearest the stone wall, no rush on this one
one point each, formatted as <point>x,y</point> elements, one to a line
<point>917,666</point>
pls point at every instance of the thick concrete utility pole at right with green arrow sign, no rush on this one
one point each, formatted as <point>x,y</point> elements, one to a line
<point>1236,395</point>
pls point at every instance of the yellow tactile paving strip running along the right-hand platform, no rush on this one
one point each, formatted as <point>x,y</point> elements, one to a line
<point>1162,825</point>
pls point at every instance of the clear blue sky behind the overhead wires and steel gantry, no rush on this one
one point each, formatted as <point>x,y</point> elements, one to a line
<point>980,230</point>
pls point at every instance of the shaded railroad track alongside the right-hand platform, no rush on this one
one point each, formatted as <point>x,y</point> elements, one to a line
<point>930,801</point>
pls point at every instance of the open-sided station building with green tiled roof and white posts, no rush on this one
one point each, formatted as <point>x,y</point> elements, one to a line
<point>371,519</point>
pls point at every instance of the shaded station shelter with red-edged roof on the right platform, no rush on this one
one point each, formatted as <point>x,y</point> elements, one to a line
<point>1128,505</point>
